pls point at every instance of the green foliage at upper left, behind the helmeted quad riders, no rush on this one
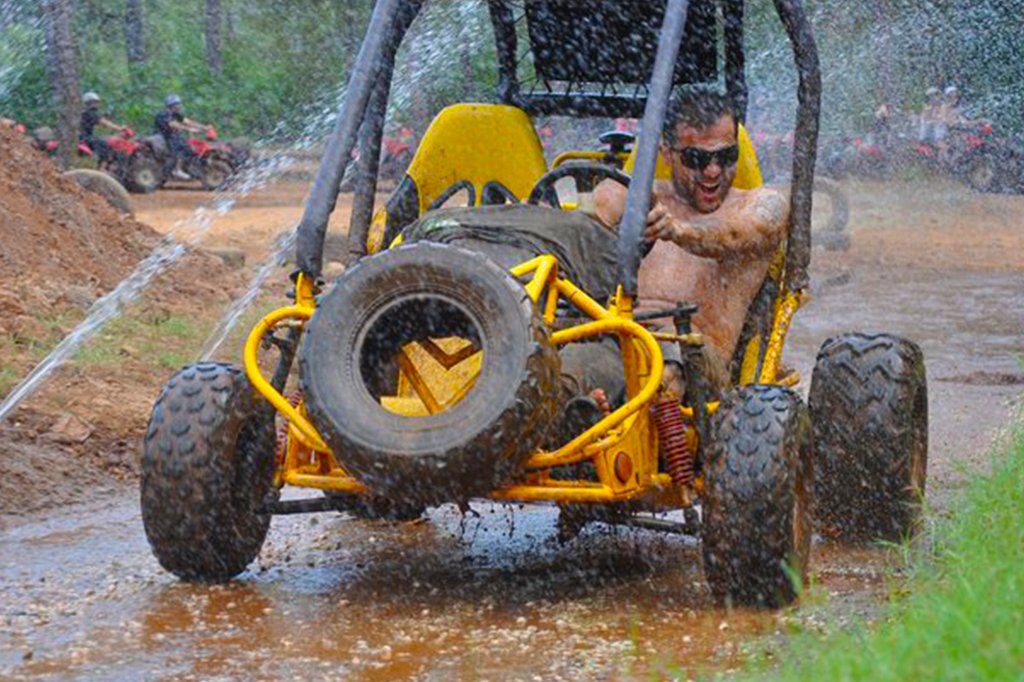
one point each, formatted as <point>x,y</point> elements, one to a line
<point>279,59</point>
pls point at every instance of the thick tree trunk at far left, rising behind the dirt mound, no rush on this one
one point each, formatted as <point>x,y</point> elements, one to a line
<point>64,74</point>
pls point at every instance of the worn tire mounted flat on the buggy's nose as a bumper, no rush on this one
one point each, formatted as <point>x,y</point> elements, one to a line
<point>415,292</point>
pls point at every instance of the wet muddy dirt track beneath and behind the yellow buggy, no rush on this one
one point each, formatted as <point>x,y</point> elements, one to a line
<point>495,596</point>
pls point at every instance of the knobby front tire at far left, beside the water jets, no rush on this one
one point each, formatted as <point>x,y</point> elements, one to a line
<point>207,466</point>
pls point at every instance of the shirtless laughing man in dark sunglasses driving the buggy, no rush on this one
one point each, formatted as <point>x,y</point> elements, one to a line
<point>714,242</point>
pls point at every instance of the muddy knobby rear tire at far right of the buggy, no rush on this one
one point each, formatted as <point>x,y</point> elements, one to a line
<point>869,404</point>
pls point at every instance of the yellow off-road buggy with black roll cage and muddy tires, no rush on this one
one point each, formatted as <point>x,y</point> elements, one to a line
<point>430,373</point>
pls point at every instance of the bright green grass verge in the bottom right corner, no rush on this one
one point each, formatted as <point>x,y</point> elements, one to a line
<point>963,617</point>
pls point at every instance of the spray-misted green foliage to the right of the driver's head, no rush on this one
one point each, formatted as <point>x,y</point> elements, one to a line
<point>892,51</point>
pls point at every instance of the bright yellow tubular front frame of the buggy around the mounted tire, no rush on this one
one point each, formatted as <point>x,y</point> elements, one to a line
<point>627,432</point>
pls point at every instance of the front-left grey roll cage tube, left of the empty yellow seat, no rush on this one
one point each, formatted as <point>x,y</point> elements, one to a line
<point>381,36</point>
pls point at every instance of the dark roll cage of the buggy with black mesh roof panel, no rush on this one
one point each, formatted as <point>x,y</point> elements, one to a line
<point>681,58</point>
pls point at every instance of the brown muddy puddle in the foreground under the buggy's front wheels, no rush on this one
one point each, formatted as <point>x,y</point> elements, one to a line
<point>493,596</point>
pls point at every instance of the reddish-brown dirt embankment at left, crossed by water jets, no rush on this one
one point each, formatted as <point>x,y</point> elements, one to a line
<point>61,249</point>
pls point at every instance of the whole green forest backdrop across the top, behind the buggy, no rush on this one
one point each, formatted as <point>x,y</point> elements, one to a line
<point>264,68</point>
